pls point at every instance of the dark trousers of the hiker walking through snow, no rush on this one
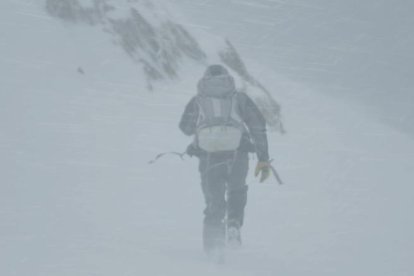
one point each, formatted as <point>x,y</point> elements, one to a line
<point>223,181</point>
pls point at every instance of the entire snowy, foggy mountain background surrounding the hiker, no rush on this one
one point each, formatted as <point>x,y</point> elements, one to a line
<point>92,91</point>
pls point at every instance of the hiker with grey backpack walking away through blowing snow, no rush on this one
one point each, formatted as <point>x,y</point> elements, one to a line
<point>226,125</point>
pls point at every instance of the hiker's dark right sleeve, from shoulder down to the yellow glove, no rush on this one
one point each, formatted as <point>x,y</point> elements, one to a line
<point>256,125</point>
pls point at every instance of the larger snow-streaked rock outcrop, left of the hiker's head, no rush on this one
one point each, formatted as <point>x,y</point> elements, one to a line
<point>157,45</point>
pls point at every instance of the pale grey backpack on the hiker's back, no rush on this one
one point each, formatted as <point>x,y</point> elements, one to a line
<point>219,126</point>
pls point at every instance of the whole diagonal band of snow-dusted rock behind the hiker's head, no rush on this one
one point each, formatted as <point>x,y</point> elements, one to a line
<point>159,44</point>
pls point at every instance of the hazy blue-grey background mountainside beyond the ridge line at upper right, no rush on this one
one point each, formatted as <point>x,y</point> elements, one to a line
<point>355,50</point>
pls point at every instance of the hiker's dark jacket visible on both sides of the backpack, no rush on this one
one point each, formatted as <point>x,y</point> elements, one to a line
<point>251,116</point>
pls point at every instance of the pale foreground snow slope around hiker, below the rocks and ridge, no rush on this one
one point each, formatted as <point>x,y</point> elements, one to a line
<point>77,196</point>
